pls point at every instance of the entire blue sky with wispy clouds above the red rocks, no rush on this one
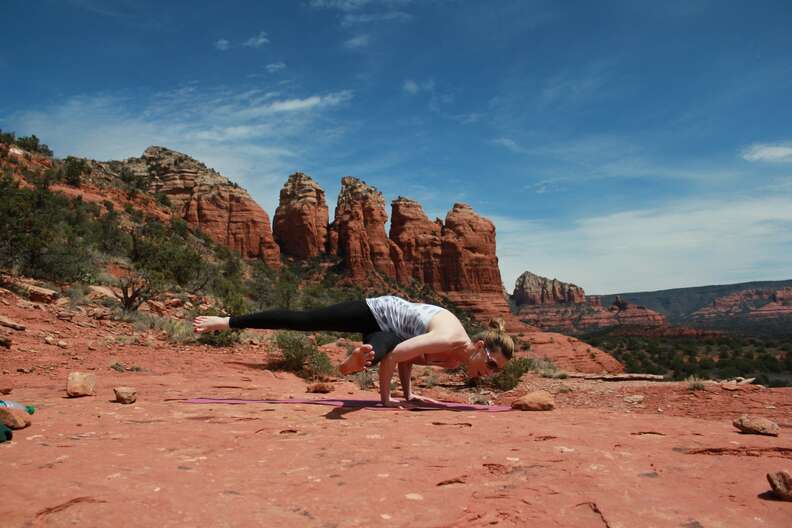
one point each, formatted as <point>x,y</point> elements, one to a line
<point>618,145</point>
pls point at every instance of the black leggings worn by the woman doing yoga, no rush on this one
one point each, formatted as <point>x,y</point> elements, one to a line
<point>350,316</point>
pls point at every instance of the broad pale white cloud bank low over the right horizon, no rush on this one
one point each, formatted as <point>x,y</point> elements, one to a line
<point>685,243</point>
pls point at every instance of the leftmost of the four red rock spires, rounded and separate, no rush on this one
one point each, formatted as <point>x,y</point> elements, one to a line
<point>300,221</point>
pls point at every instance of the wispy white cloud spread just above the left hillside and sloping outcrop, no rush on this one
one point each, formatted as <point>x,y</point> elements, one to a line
<point>253,137</point>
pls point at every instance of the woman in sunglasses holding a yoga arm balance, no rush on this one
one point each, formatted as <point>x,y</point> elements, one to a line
<point>396,334</point>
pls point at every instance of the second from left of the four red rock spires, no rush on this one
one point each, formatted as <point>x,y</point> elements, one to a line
<point>358,231</point>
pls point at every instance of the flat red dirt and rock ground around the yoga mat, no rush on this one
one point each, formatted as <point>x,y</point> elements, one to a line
<point>595,461</point>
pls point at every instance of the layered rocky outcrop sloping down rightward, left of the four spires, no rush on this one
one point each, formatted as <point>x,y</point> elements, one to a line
<point>209,201</point>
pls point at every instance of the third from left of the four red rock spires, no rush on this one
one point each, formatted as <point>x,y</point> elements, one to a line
<point>419,240</point>
